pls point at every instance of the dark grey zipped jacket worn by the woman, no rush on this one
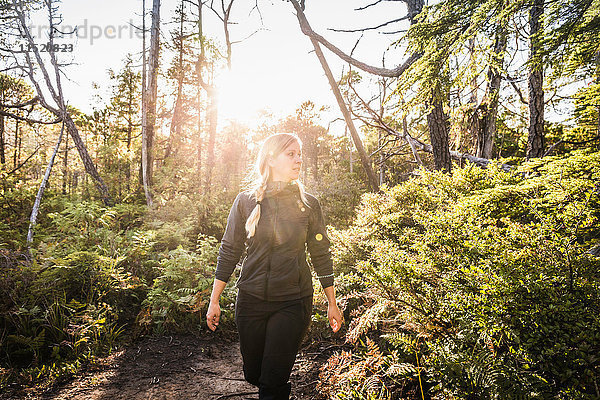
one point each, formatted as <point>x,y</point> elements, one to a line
<point>275,267</point>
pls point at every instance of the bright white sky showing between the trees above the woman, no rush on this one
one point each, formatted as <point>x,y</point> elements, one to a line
<point>274,69</point>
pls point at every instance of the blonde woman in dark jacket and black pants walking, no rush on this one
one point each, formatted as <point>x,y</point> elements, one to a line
<point>274,221</point>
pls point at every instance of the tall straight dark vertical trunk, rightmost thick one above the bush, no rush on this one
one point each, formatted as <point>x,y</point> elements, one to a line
<point>536,140</point>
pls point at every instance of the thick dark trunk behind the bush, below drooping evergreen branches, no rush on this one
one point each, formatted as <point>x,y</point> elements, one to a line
<point>438,134</point>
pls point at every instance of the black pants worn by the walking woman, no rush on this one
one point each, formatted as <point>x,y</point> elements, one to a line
<point>270,336</point>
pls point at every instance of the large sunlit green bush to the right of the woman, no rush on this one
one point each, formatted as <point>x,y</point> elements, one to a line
<point>489,272</point>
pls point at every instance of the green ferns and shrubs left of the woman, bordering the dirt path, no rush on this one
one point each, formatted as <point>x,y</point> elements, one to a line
<point>93,270</point>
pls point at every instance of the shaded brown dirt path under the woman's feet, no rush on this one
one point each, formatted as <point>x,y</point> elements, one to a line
<point>178,367</point>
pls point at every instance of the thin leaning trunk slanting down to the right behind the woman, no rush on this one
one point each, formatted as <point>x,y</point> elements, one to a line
<point>364,158</point>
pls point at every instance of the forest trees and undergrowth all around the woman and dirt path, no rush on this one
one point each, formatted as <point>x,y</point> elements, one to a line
<point>461,189</point>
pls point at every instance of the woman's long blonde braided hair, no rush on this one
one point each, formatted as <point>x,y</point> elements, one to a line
<point>261,173</point>
